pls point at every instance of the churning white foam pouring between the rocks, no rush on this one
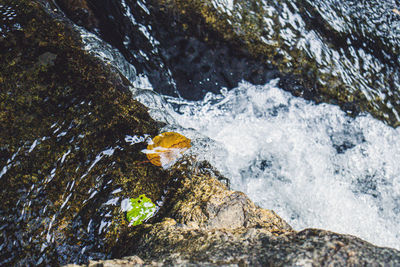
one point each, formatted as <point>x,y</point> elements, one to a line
<point>312,164</point>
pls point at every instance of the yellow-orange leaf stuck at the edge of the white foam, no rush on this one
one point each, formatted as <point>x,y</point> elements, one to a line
<point>166,148</point>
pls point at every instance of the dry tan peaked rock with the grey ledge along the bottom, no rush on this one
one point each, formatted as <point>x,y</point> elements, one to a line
<point>210,225</point>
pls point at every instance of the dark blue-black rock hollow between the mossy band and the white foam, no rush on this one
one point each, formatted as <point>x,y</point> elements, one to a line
<point>175,60</point>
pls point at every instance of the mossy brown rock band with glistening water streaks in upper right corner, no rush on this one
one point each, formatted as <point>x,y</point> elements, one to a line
<point>332,51</point>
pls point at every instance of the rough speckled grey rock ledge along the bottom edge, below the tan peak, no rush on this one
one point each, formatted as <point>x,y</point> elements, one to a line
<point>255,247</point>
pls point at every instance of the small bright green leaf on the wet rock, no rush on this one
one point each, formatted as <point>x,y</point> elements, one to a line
<point>141,210</point>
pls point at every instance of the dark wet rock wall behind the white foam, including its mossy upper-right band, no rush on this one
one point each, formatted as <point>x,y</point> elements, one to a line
<point>340,54</point>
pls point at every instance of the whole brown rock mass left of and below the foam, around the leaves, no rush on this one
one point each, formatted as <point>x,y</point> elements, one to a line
<point>66,165</point>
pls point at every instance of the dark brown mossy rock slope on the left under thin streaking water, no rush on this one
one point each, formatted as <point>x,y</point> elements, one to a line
<point>65,163</point>
